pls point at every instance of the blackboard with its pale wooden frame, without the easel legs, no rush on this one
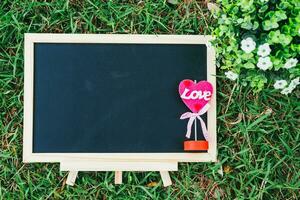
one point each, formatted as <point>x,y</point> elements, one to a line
<point>112,95</point>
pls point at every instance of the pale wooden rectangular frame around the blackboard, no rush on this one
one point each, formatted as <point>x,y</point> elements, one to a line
<point>31,38</point>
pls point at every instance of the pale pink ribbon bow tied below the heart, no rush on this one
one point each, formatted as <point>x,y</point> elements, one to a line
<point>192,117</point>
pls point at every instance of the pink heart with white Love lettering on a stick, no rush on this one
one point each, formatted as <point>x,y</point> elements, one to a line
<point>195,95</point>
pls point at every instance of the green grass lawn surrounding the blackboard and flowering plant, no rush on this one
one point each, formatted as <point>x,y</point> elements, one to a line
<point>258,134</point>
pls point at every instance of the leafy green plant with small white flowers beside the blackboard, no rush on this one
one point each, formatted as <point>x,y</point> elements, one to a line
<point>257,42</point>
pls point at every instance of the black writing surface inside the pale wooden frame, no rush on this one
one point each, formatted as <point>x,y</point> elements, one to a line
<point>112,98</point>
